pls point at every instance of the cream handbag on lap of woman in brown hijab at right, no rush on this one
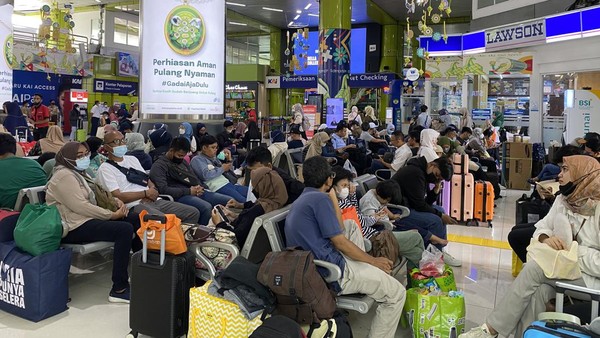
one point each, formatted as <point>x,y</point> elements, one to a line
<point>556,264</point>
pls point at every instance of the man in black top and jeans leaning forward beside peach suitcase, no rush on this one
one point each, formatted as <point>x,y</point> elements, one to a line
<point>414,180</point>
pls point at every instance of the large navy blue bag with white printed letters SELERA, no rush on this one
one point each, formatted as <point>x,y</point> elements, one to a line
<point>34,287</point>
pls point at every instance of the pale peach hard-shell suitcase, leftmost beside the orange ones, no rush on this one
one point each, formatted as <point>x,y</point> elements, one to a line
<point>462,196</point>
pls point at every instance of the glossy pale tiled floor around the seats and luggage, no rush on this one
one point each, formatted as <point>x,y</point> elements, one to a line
<point>484,277</point>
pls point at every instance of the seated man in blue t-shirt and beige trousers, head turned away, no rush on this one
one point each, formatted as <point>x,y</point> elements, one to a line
<point>312,224</point>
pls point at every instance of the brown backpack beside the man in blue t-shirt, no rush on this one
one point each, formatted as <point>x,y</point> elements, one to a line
<point>301,292</point>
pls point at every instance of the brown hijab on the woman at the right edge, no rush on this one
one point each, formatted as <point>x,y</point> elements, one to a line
<point>585,173</point>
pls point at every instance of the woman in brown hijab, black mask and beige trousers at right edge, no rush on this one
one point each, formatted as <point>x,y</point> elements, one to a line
<point>574,216</point>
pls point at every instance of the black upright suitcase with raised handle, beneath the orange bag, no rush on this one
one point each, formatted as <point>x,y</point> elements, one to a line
<point>160,291</point>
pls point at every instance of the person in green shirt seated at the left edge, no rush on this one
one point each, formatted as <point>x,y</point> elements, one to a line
<point>17,172</point>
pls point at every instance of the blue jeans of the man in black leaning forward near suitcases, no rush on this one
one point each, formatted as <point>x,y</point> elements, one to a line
<point>426,223</point>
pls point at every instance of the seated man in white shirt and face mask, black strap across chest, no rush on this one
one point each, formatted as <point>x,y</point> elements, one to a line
<point>135,196</point>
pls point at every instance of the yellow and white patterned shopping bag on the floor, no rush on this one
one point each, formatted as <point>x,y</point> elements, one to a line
<point>214,317</point>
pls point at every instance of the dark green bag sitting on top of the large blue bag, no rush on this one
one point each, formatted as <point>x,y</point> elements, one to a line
<point>38,229</point>
